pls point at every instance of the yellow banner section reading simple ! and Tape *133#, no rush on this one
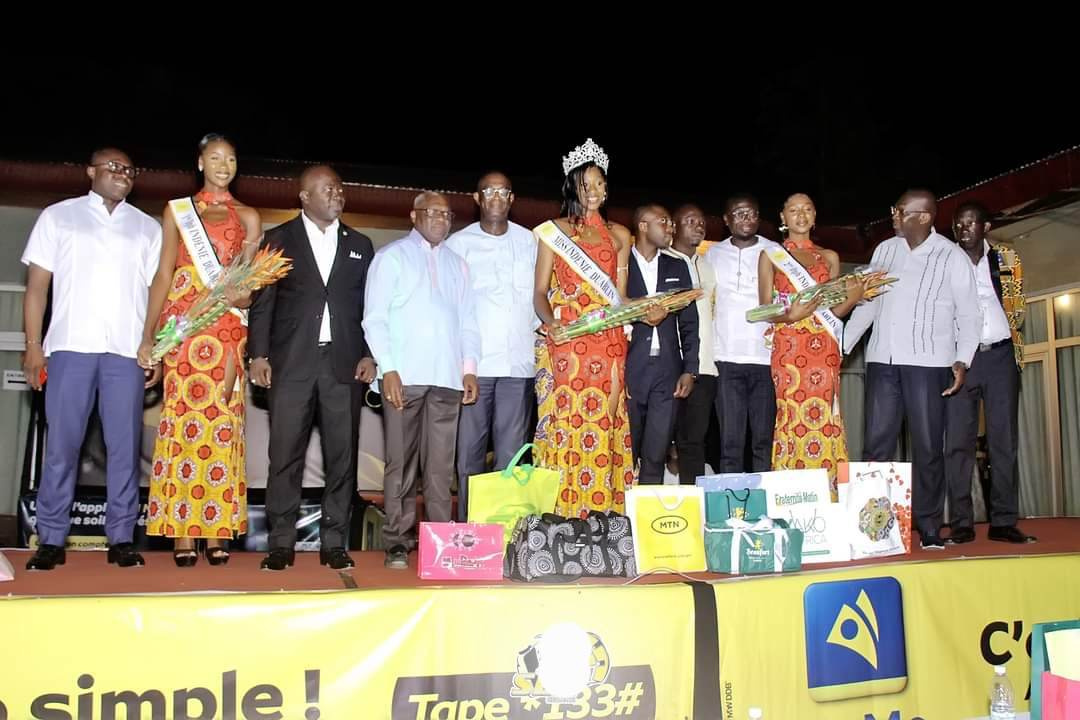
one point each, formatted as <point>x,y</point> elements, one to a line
<point>441,655</point>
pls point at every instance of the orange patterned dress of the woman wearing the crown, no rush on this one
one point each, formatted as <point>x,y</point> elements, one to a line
<point>575,433</point>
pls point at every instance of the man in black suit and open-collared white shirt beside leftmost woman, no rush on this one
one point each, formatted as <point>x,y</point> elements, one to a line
<point>305,334</point>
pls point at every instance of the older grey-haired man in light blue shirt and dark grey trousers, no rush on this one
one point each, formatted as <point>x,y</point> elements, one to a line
<point>421,322</point>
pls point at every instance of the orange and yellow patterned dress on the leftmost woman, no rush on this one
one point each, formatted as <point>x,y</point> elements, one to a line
<point>197,486</point>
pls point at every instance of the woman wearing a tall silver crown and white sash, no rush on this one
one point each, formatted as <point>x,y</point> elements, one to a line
<point>584,430</point>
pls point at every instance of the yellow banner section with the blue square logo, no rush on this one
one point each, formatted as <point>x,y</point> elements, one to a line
<point>887,643</point>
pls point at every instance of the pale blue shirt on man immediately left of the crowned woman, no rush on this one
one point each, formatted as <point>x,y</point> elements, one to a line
<point>503,269</point>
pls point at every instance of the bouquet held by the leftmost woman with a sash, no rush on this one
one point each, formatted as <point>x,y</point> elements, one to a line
<point>265,269</point>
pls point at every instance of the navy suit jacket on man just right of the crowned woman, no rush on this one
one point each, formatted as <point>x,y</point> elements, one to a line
<point>679,332</point>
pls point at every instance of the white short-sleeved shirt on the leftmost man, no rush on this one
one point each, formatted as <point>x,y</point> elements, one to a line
<point>103,265</point>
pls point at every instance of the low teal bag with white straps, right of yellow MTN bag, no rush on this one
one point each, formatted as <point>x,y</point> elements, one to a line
<point>737,548</point>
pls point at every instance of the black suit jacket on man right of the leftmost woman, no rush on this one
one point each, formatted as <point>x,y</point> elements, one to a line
<point>286,318</point>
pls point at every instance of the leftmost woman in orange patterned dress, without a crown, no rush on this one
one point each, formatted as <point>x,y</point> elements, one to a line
<point>197,486</point>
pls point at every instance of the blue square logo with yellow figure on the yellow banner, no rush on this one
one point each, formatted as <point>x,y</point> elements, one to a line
<point>855,639</point>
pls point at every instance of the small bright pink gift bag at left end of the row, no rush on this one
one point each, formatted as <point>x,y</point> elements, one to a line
<point>461,551</point>
